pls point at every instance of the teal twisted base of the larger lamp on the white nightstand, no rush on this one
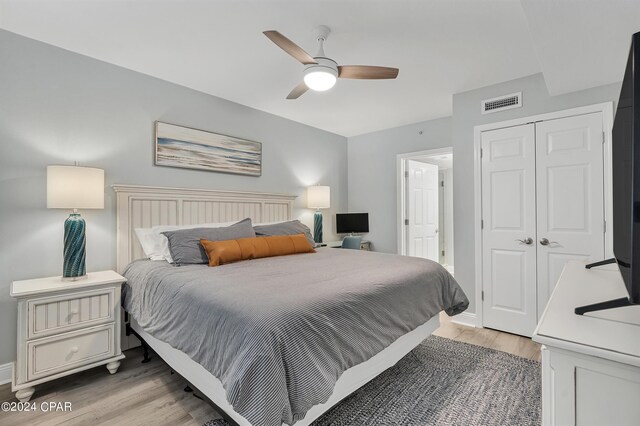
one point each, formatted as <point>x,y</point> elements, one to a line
<point>74,248</point>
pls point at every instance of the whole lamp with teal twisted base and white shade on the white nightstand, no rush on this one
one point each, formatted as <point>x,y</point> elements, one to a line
<point>74,187</point>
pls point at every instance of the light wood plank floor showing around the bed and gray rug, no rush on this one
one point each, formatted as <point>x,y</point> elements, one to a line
<point>148,394</point>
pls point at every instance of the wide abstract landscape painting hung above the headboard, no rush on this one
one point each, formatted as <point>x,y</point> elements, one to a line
<point>178,146</point>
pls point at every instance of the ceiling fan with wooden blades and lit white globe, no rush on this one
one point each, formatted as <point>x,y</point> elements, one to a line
<point>321,72</point>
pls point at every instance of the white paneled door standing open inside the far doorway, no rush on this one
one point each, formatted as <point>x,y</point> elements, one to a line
<point>422,192</point>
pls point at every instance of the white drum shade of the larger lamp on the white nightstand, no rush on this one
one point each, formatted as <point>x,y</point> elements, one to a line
<point>73,187</point>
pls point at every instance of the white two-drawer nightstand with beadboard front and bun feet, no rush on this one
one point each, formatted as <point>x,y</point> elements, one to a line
<point>65,327</point>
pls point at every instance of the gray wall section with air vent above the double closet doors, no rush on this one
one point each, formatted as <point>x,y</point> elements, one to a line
<point>466,115</point>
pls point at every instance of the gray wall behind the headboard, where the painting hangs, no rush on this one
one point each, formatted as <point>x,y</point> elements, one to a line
<point>57,107</point>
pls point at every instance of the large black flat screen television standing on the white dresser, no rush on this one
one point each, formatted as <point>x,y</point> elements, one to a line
<point>626,185</point>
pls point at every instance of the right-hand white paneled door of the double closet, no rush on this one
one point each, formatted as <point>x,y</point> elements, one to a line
<point>570,196</point>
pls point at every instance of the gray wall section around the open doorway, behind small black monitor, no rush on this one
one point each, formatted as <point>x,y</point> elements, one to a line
<point>372,173</point>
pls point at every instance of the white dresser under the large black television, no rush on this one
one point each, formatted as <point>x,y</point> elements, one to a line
<point>590,363</point>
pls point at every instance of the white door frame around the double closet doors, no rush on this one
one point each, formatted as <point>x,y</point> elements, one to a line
<point>606,108</point>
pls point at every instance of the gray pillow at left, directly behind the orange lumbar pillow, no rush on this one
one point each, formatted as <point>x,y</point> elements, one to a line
<point>185,247</point>
